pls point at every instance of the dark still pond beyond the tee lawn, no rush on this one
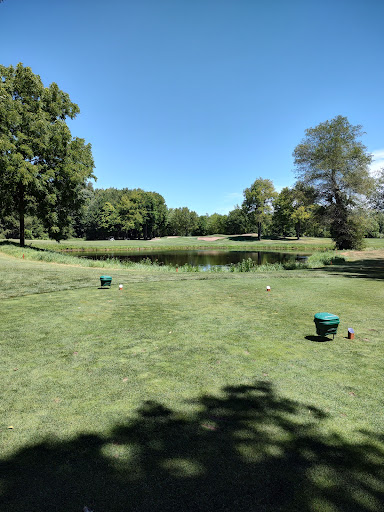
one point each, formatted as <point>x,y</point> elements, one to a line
<point>202,258</point>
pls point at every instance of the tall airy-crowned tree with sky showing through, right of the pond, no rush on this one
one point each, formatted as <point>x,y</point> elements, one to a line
<point>336,163</point>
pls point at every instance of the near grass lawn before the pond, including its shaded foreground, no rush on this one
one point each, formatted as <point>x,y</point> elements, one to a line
<point>190,391</point>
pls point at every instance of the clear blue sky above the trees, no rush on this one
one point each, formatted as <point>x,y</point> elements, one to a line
<point>195,99</point>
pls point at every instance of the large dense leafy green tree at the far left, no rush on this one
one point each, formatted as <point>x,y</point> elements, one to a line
<point>43,170</point>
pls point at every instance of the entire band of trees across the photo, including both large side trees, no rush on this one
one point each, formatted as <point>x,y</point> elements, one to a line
<point>45,186</point>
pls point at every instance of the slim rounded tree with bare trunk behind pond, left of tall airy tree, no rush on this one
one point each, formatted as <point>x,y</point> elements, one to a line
<point>257,204</point>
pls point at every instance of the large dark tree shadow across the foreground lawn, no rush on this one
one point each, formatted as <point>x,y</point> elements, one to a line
<point>247,450</point>
